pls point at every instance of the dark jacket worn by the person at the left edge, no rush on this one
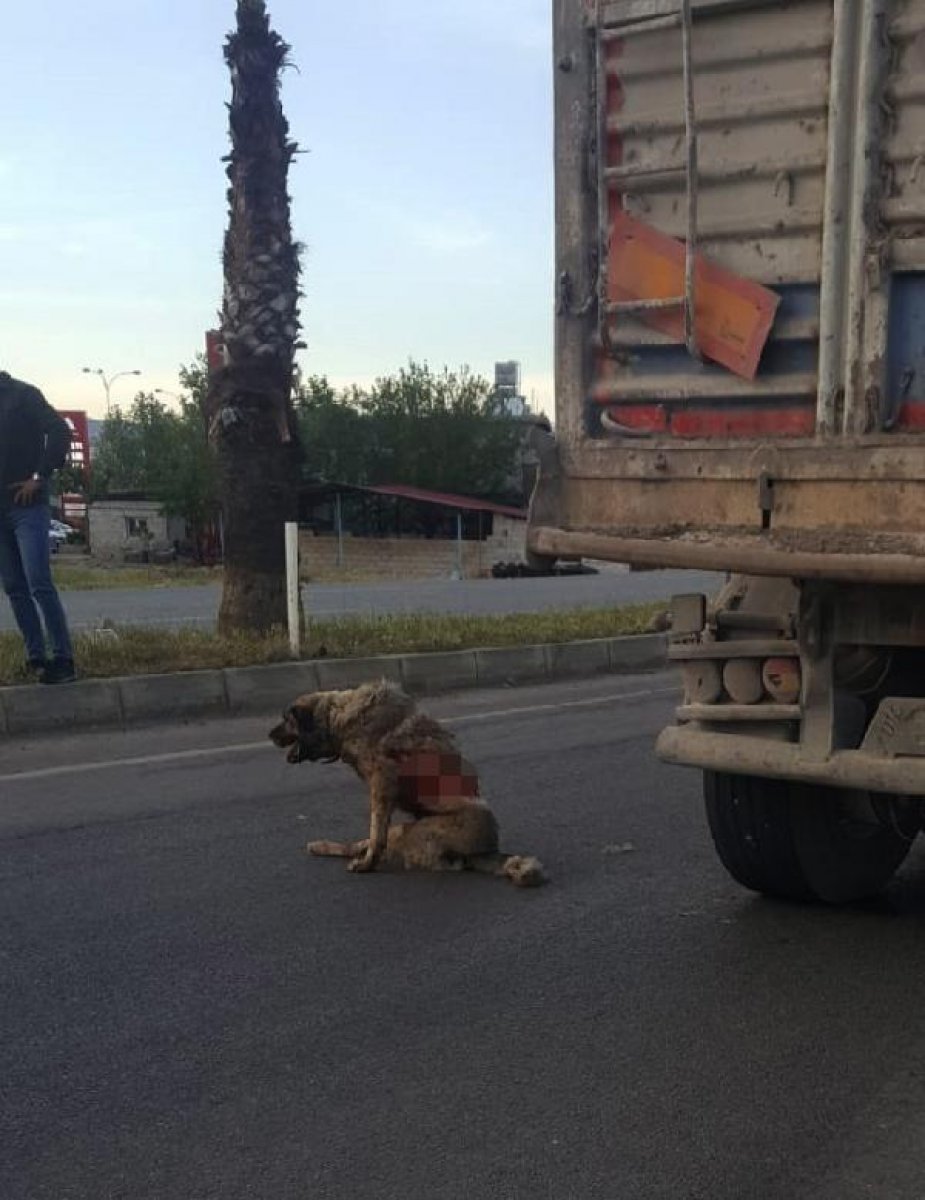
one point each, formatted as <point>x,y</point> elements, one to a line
<point>34,440</point>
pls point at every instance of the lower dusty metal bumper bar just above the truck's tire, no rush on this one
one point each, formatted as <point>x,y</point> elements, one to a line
<point>736,755</point>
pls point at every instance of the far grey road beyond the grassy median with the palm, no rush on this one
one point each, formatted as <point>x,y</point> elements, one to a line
<point>200,605</point>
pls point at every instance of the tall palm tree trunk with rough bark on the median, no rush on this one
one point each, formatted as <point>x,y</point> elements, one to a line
<point>250,407</point>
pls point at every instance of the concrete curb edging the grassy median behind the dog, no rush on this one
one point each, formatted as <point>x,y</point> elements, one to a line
<point>147,700</point>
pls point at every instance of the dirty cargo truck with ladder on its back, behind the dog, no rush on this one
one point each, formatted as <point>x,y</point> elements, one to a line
<point>741,388</point>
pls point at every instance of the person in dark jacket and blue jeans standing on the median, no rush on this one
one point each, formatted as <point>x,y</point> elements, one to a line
<point>34,443</point>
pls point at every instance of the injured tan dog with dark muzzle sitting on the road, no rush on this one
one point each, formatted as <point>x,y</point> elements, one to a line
<point>410,763</point>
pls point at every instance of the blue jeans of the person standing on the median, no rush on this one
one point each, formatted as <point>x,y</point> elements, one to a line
<point>26,573</point>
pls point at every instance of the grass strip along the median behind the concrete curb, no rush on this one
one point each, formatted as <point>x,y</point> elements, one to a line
<point>143,651</point>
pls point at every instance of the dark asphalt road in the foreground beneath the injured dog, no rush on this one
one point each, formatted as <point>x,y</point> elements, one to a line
<point>195,1011</point>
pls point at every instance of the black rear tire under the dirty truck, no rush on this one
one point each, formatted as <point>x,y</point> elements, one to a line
<point>797,842</point>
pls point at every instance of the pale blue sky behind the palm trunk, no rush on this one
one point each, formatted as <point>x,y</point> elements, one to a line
<point>424,199</point>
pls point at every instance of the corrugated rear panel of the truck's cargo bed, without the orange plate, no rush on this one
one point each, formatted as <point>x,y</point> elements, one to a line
<point>809,134</point>
